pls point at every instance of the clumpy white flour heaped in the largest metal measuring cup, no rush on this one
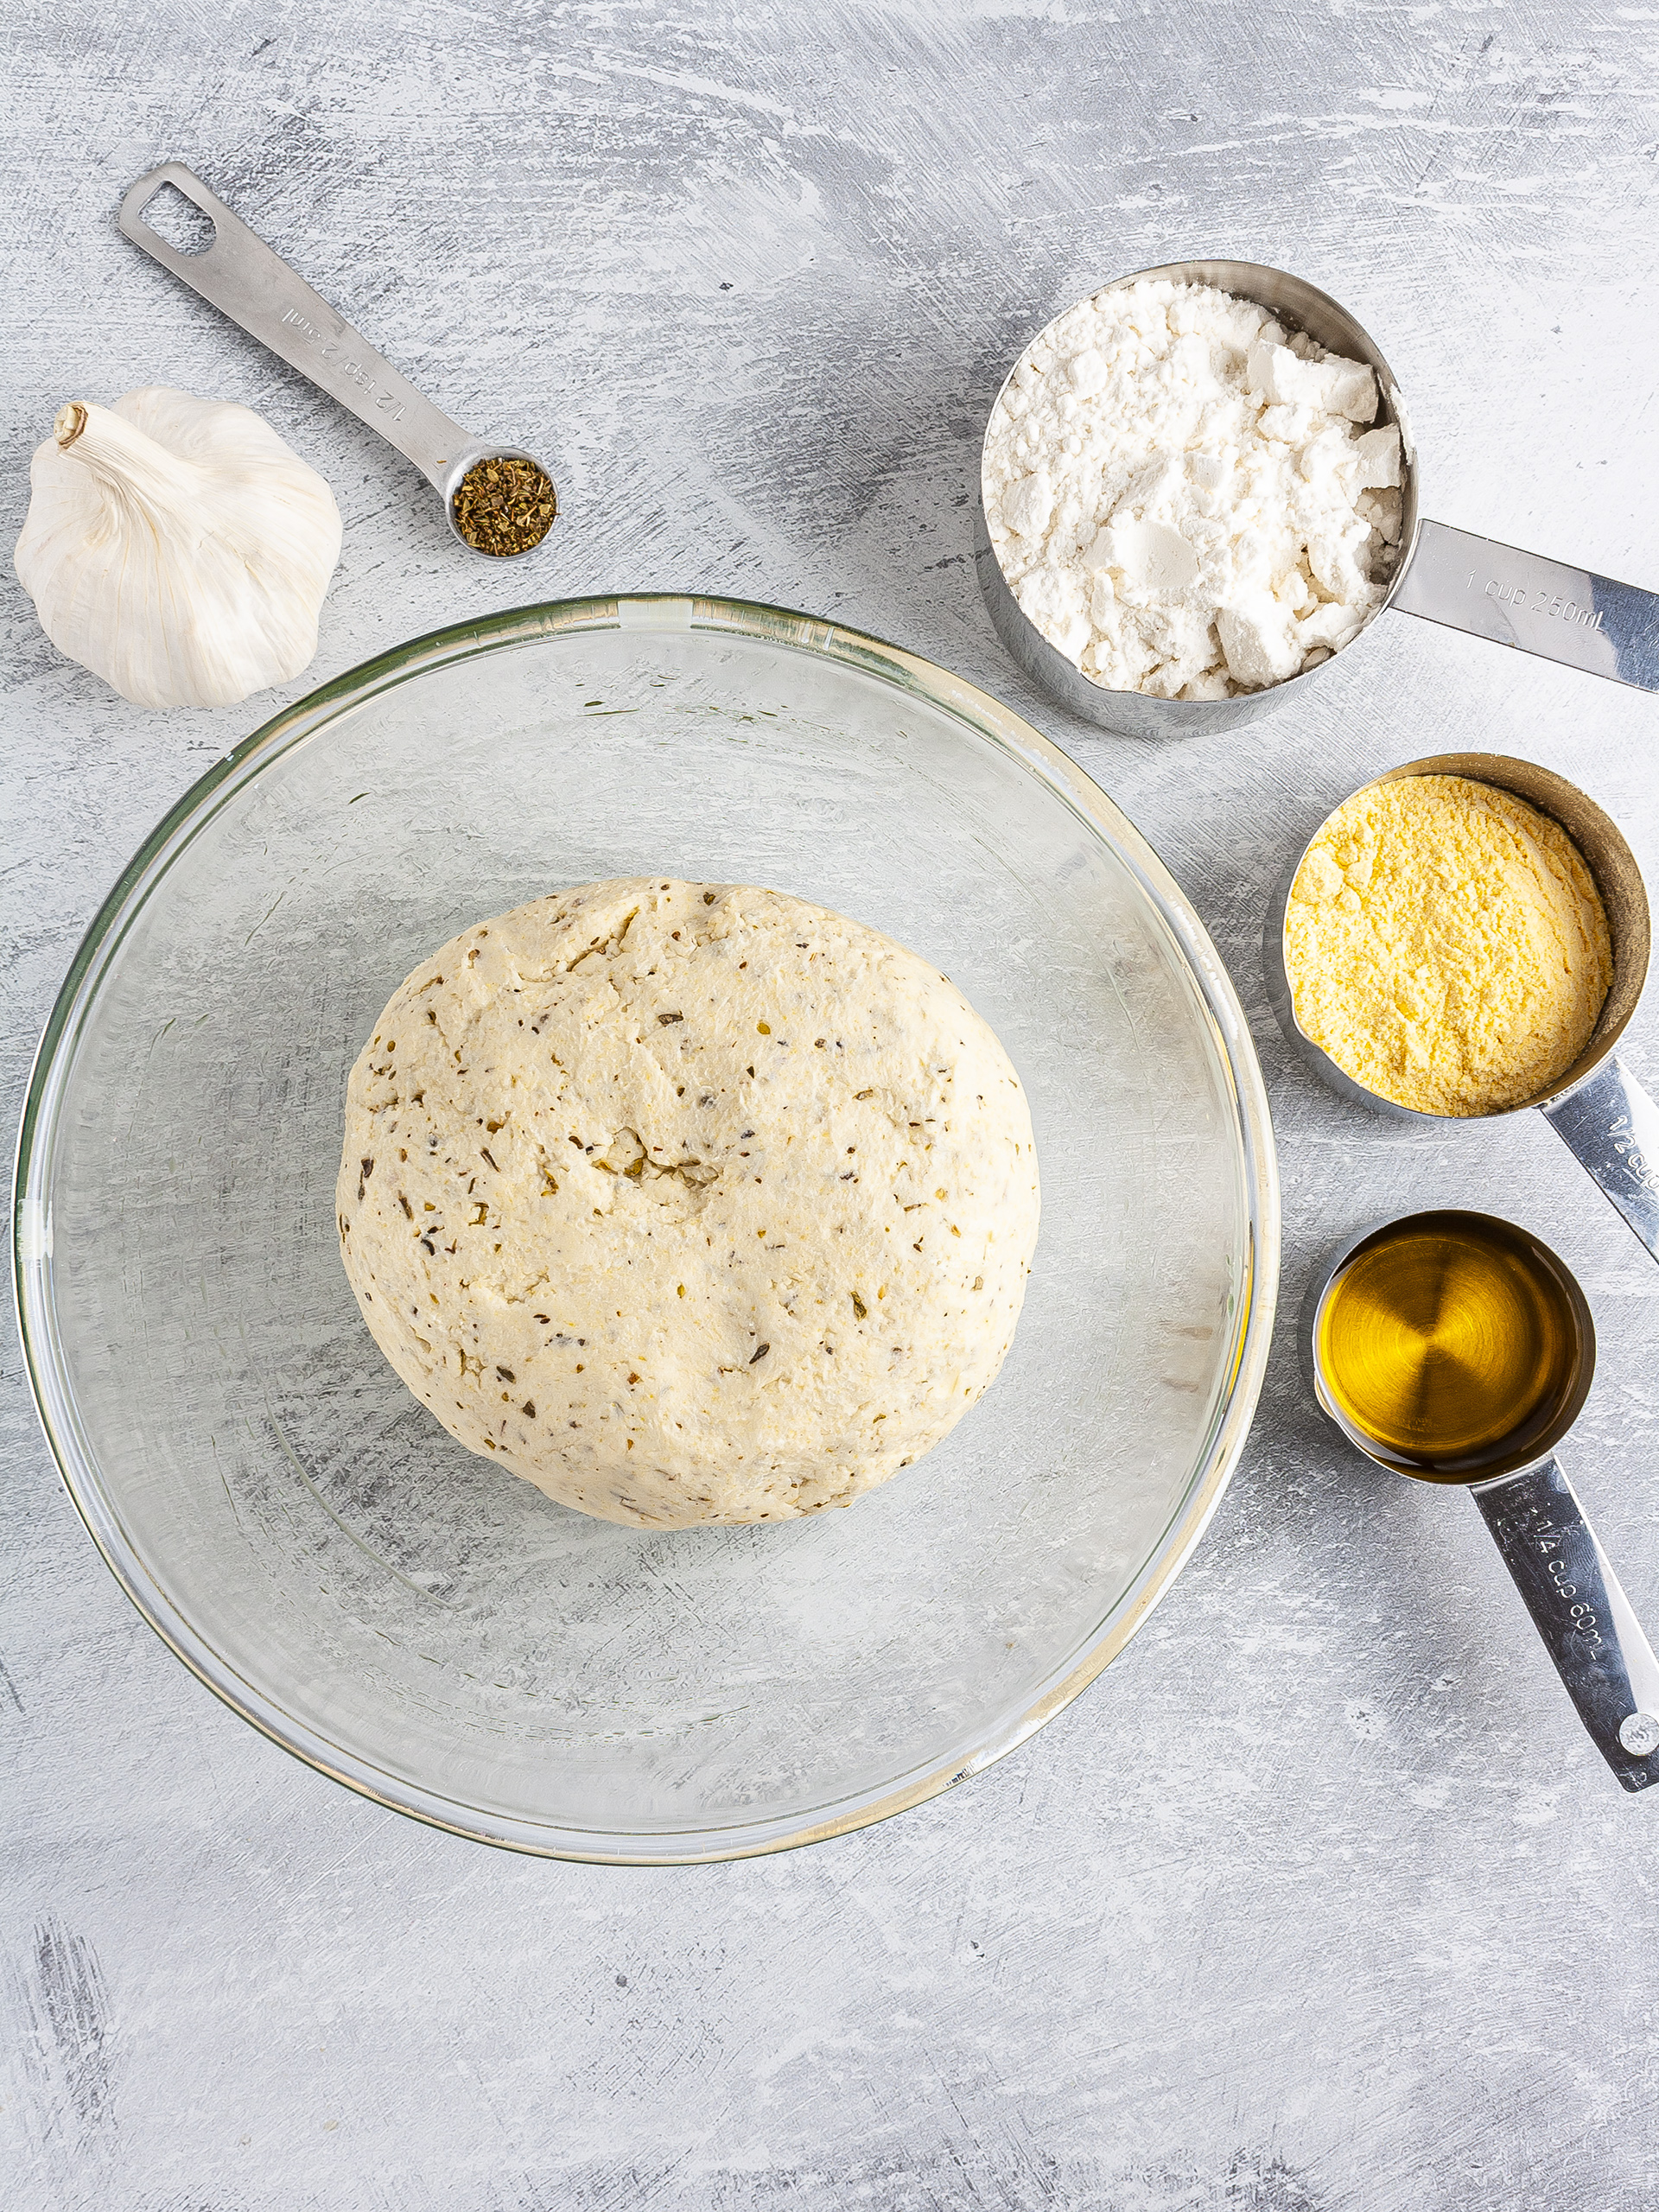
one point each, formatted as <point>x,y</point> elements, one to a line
<point>1187,499</point>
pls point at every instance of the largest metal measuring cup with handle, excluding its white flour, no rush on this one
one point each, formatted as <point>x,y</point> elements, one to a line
<point>1446,576</point>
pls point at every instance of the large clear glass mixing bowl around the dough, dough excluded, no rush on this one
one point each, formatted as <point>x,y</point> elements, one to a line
<point>435,1631</point>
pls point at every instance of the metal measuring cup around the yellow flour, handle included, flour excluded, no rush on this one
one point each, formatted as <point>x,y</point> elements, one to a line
<point>1600,1112</point>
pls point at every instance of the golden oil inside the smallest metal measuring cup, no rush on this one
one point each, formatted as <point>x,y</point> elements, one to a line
<point>1454,1346</point>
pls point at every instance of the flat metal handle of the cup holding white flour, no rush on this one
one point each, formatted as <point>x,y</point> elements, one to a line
<point>1541,605</point>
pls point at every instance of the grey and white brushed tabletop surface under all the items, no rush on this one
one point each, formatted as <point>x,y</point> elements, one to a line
<point>1319,1899</point>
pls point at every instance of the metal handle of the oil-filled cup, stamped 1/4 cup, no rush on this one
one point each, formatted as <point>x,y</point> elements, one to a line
<point>1583,1614</point>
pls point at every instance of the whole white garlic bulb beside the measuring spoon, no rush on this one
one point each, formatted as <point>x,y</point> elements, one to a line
<point>178,547</point>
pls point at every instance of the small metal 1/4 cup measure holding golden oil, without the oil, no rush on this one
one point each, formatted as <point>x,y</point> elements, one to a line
<point>1536,1519</point>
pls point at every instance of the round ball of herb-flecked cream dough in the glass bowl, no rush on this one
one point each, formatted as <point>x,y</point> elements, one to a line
<point>689,1202</point>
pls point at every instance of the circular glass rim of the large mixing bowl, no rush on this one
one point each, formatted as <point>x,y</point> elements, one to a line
<point>1253,1304</point>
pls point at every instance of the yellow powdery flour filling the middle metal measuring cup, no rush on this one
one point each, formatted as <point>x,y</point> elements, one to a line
<point>1448,946</point>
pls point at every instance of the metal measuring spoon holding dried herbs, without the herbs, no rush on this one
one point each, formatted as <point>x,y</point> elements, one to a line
<point>244,280</point>
